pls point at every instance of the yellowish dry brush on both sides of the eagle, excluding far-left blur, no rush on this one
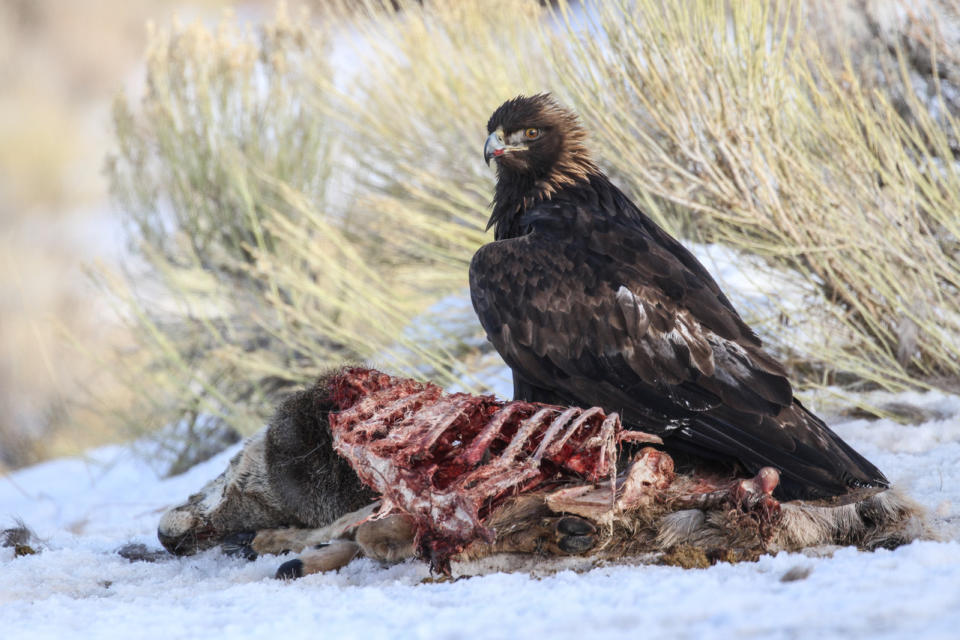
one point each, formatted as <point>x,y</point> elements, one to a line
<point>291,217</point>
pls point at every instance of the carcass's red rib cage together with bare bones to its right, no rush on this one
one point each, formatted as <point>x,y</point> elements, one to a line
<point>449,461</point>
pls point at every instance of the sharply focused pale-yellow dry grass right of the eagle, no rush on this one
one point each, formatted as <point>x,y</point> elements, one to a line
<point>778,153</point>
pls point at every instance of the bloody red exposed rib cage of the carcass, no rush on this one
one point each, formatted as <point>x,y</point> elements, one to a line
<point>448,460</point>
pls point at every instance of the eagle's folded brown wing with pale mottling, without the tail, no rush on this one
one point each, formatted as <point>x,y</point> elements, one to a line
<point>634,319</point>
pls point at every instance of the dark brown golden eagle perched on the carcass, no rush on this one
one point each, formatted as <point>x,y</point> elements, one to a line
<point>591,303</point>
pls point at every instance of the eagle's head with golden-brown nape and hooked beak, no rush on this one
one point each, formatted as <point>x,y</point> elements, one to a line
<point>538,145</point>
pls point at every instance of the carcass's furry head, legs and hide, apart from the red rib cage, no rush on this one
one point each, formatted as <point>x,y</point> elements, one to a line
<point>287,491</point>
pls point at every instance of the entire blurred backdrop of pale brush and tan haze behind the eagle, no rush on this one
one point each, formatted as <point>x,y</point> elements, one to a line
<point>305,188</point>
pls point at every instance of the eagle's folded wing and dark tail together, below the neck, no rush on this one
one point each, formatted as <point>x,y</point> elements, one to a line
<point>625,318</point>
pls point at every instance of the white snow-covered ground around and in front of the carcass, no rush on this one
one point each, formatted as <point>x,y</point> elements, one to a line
<point>83,510</point>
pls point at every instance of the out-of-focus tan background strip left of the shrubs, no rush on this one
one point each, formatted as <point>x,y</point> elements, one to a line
<point>61,63</point>
